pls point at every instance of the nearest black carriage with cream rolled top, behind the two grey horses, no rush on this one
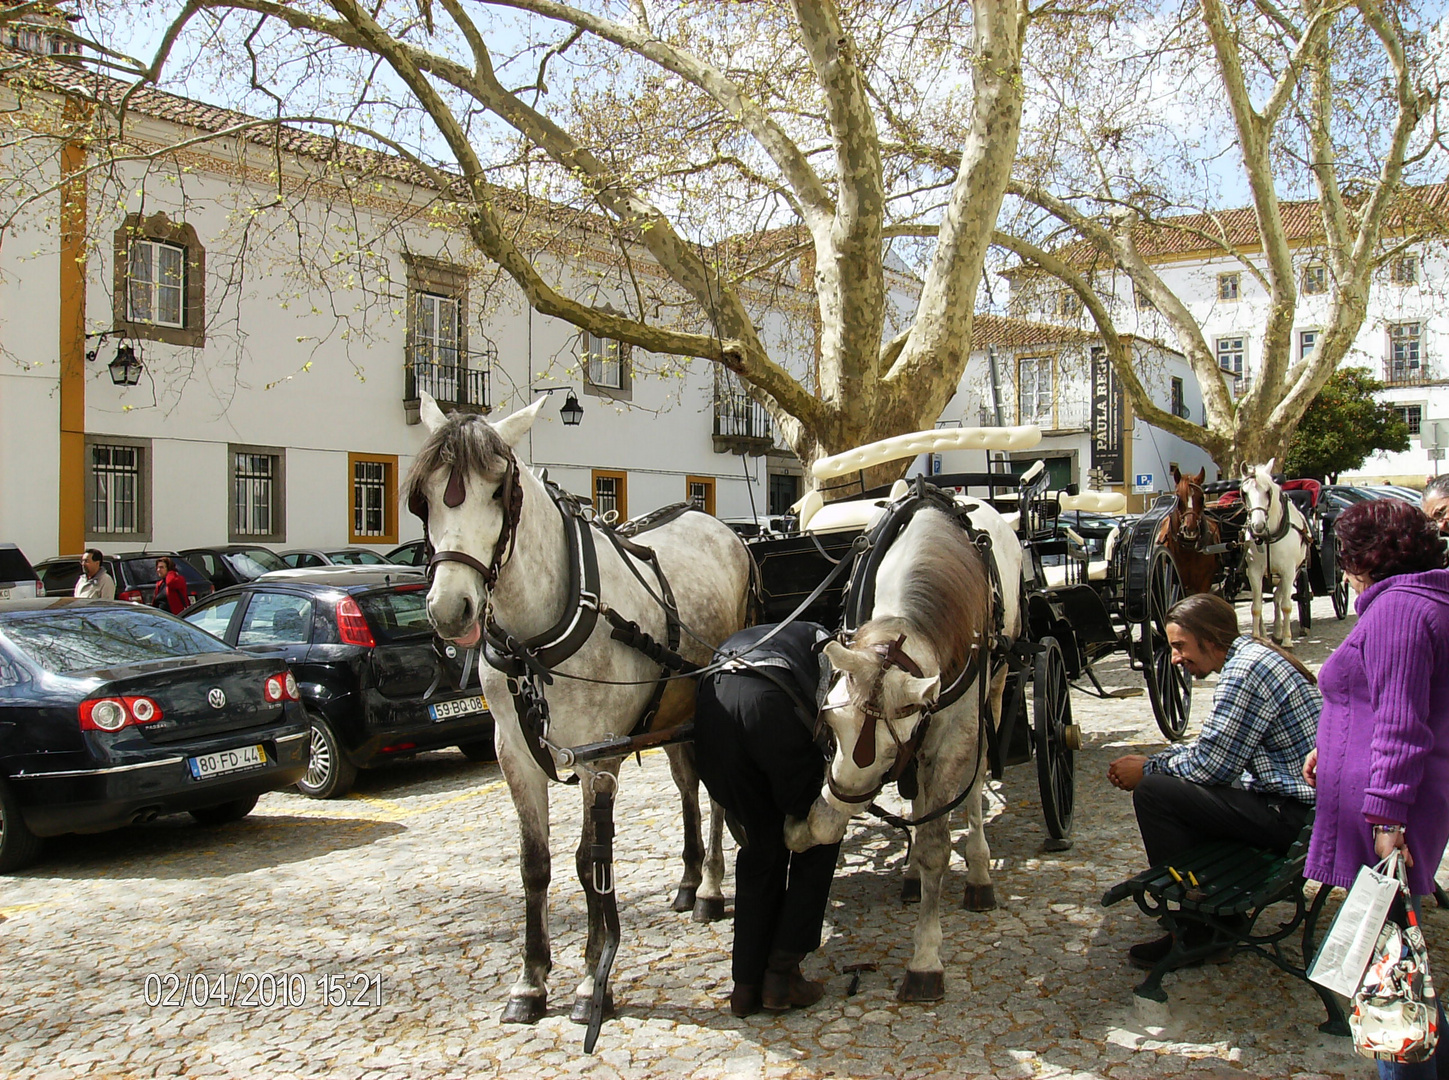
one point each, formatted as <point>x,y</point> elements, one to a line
<point>1079,605</point>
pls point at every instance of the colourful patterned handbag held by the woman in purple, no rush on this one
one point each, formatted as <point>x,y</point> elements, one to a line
<point>1396,1013</point>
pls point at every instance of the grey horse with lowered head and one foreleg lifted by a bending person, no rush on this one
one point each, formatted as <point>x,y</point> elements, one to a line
<point>932,624</point>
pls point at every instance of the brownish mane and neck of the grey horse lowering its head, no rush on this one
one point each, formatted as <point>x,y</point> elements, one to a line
<point>945,601</point>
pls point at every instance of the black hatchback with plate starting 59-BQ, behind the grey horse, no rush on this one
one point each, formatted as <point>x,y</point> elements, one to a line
<point>376,684</point>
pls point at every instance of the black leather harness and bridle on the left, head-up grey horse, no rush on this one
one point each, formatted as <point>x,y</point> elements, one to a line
<point>528,665</point>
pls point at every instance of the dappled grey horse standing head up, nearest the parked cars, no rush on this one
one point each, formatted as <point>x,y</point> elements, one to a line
<point>479,499</point>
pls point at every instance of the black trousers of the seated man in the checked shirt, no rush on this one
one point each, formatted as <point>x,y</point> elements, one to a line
<point>1176,815</point>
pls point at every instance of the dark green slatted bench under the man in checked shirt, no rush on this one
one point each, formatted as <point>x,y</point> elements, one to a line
<point>1237,885</point>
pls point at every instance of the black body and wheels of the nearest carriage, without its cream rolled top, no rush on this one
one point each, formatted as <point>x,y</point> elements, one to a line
<point>1077,610</point>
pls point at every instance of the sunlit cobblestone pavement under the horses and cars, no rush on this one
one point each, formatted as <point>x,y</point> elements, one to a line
<point>409,891</point>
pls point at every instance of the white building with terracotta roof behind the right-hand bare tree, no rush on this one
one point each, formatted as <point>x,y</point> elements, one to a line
<point>1408,317</point>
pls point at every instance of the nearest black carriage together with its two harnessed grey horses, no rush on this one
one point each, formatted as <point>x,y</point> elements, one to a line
<point>959,598</point>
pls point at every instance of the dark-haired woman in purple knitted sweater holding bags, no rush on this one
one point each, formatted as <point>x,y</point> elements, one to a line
<point>1382,766</point>
